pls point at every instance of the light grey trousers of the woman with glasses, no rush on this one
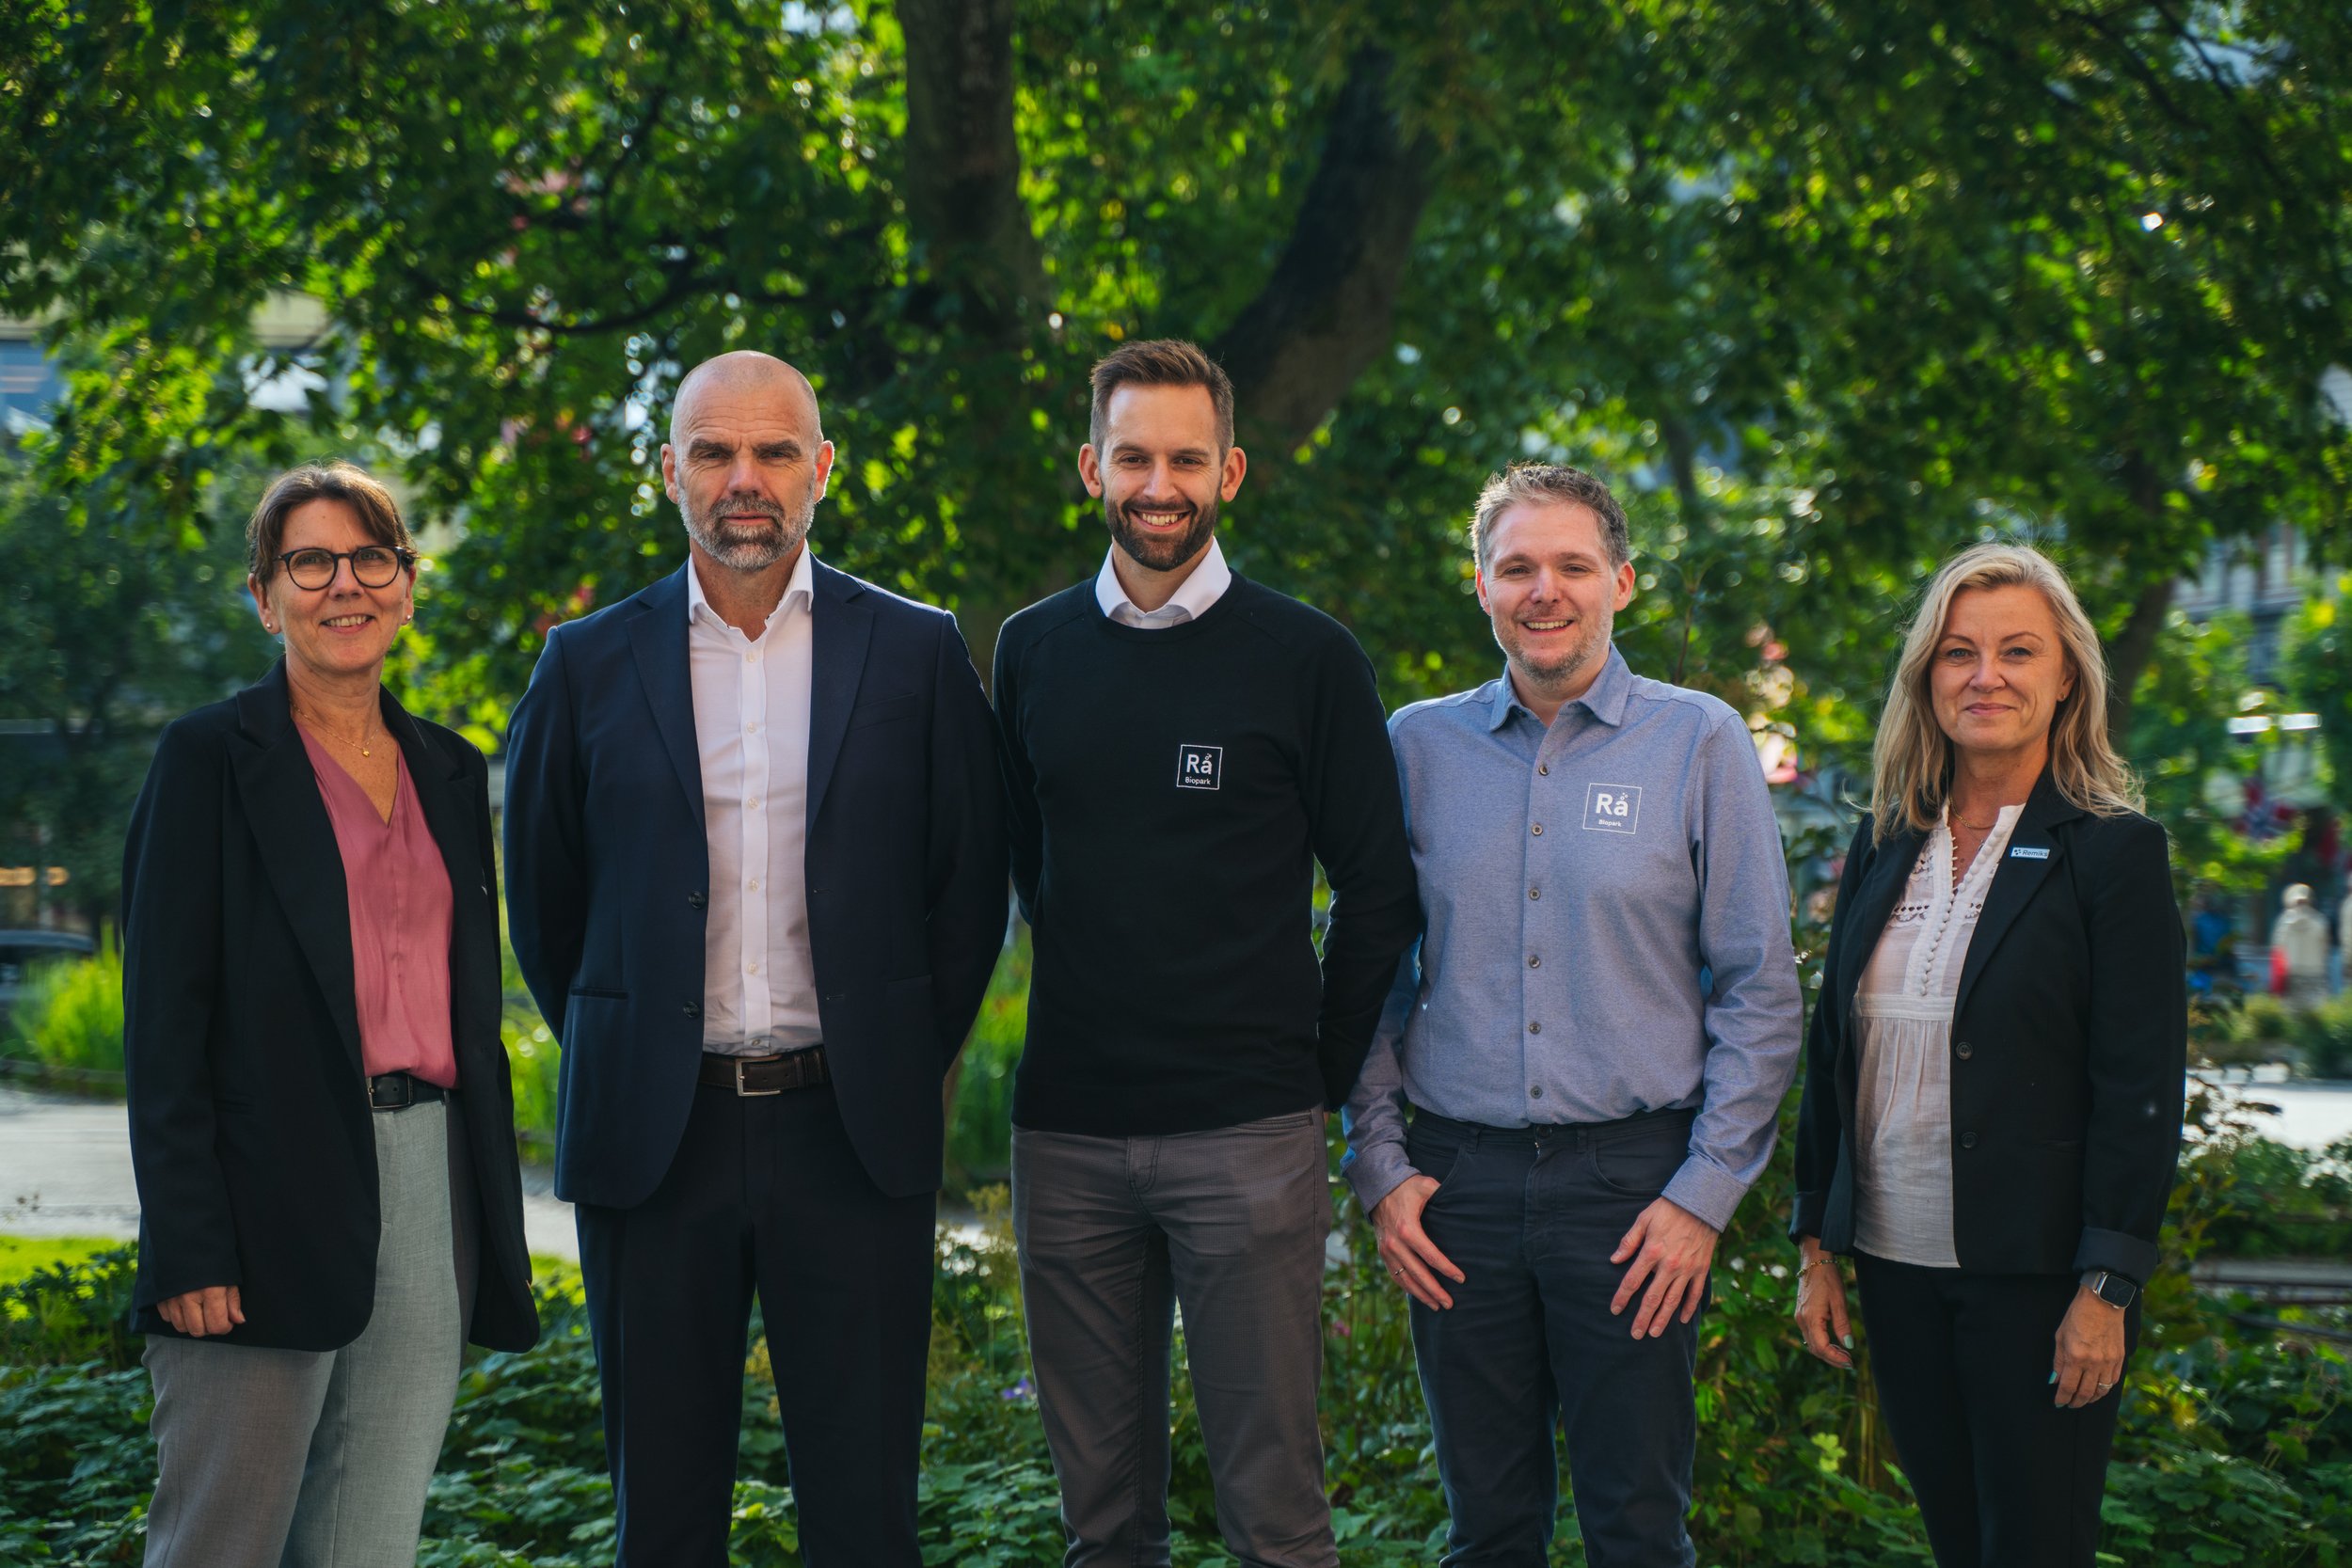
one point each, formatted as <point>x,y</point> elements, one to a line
<point>293,1459</point>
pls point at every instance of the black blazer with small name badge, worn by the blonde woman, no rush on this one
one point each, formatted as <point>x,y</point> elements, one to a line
<point>2069,1047</point>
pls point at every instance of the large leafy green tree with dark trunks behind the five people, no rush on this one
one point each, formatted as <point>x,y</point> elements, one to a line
<point>1833,283</point>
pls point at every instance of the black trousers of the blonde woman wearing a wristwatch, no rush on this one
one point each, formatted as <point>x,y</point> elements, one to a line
<point>1963,1362</point>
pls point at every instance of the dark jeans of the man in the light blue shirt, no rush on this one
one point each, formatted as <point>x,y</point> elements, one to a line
<point>1530,1217</point>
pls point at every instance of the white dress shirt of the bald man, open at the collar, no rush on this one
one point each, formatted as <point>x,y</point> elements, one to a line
<point>751,723</point>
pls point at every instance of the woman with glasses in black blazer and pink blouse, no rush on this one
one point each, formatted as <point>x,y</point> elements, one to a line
<point>321,1113</point>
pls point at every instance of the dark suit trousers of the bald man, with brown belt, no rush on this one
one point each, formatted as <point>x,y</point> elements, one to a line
<point>763,1195</point>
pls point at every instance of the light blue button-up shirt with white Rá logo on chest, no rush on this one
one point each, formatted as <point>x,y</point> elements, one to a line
<point>1605,932</point>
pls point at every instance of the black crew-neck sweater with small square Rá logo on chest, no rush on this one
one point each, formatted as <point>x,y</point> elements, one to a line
<point>1170,793</point>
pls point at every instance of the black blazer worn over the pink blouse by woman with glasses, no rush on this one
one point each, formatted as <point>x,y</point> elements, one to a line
<point>250,1127</point>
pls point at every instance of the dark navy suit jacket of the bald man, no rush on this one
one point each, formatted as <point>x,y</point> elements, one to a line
<point>610,876</point>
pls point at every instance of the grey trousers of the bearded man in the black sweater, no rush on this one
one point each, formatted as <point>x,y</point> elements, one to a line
<point>1114,1235</point>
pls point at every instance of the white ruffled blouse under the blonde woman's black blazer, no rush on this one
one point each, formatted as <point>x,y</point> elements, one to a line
<point>1904,1014</point>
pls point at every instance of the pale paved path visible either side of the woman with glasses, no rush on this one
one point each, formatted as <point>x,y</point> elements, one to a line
<point>67,1172</point>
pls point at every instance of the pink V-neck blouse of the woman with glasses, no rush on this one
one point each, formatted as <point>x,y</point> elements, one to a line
<point>401,911</point>
